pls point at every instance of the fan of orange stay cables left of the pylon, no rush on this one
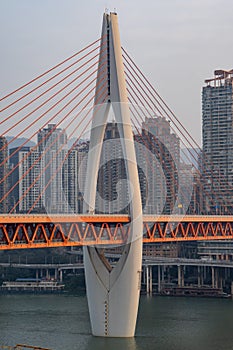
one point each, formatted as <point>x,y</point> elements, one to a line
<point>62,102</point>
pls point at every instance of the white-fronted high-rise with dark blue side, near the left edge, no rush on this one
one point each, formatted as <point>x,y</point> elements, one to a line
<point>25,180</point>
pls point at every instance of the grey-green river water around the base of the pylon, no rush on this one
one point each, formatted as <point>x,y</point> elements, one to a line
<point>61,322</point>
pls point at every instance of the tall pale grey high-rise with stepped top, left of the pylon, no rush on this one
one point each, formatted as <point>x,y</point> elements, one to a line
<point>52,146</point>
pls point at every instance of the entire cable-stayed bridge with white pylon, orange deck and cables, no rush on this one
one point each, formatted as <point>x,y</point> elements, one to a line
<point>70,104</point>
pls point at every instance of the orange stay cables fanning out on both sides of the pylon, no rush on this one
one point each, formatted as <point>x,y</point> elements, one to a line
<point>55,110</point>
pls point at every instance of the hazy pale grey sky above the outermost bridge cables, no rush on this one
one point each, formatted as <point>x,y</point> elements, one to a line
<point>176,43</point>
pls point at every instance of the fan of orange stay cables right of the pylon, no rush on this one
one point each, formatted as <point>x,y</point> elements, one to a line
<point>151,105</point>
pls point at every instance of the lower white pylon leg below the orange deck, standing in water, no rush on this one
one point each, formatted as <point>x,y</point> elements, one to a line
<point>113,295</point>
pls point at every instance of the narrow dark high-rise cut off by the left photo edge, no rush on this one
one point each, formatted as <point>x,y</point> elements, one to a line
<point>3,175</point>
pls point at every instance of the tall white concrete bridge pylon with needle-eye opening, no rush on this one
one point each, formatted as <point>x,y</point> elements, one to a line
<point>113,292</point>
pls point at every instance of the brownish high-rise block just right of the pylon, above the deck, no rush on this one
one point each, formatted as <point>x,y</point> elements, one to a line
<point>160,157</point>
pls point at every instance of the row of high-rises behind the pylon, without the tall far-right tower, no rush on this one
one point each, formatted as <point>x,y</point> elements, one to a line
<point>33,186</point>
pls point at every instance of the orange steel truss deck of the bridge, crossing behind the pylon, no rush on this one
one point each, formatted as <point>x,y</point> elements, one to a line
<point>44,231</point>
